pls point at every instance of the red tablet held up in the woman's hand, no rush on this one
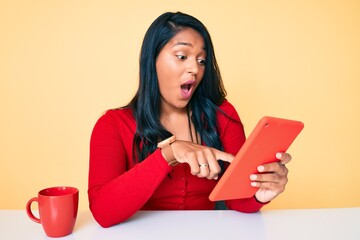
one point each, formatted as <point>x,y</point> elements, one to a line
<point>271,135</point>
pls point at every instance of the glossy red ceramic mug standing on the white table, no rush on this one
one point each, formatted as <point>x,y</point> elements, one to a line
<point>58,208</point>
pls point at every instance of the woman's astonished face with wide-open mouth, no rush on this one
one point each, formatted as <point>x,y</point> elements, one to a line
<point>180,68</point>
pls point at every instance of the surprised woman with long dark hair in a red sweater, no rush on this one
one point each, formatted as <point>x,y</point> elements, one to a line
<point>168,147</point>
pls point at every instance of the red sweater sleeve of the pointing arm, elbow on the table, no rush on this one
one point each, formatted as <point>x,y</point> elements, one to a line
<point>116,192</point>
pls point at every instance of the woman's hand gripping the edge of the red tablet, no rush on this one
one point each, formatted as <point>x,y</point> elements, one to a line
<point>271,179</point>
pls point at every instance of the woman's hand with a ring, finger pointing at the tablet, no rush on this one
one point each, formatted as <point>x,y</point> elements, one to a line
<point>203,160</point>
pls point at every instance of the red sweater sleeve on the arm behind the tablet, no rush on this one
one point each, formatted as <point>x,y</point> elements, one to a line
<point>233,137</point>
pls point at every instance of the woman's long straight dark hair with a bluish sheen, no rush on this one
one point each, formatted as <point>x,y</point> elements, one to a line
<point>146,103</point>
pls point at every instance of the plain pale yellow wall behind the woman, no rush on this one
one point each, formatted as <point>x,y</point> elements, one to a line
<point>63,63</point>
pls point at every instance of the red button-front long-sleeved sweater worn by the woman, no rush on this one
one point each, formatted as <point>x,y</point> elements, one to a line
<point>118,188</point>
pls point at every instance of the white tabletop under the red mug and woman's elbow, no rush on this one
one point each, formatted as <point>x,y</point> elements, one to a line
<point>342,223</point>
